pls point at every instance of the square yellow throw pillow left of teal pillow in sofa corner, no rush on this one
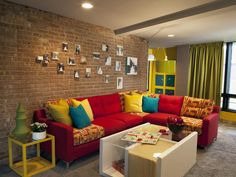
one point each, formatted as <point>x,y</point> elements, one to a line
<point>133,103</point>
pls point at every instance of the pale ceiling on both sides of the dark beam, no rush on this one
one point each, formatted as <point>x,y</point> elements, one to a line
<point>211,26</point>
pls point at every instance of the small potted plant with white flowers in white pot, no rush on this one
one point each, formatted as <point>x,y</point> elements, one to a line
<point>38,130</point>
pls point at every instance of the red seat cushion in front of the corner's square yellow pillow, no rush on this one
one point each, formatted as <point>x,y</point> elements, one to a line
<point>130,120</point>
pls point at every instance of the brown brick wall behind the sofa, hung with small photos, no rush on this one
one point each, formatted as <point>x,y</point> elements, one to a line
<point>26,33</point>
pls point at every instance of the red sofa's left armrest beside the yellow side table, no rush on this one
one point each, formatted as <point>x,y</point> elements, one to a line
<point>63,139</point>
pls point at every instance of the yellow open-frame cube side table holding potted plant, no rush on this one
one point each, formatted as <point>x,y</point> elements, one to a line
<point>35,165</point>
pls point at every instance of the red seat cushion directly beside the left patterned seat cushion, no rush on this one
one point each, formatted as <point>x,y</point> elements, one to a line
<point>110,125</point>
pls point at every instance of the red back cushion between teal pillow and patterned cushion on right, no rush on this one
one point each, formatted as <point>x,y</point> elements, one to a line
<point>170,104</point>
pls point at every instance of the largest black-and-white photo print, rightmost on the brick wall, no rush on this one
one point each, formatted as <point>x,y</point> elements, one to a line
<point>131,66</point>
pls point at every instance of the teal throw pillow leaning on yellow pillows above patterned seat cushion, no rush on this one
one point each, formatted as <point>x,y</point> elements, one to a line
<point>79,117</point>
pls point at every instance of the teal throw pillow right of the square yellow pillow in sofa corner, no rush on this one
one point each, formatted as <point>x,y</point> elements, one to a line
<point>150,105</point>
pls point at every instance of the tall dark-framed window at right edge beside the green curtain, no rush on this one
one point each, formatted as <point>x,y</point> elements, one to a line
<point>229,78</point>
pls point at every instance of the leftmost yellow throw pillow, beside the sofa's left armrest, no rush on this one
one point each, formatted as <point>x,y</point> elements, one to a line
<point>60,112</point>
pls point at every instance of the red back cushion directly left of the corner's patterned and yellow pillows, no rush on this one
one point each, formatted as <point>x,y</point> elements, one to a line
<point>111,103</point>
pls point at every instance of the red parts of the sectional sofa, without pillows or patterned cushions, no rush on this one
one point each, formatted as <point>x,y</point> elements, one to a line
<point>108,113</point>
